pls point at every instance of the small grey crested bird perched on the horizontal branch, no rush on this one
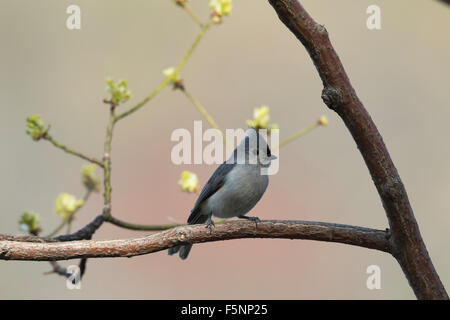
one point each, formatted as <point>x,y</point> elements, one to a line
<point>234,188</point>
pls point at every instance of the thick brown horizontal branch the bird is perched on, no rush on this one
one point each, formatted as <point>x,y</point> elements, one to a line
<point>321,231</point>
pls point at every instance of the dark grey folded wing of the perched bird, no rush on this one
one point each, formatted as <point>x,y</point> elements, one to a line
<point>214,183</point>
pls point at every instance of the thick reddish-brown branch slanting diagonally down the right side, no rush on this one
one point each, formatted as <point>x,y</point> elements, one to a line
<point>339,95</point>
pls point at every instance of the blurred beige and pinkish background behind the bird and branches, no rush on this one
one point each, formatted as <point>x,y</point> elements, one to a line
<point>399,72</point>
